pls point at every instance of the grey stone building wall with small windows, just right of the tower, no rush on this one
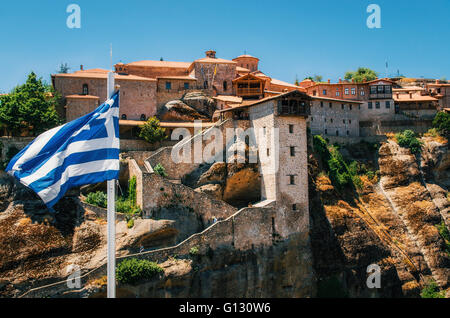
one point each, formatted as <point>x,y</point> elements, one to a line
<point>327,121</point>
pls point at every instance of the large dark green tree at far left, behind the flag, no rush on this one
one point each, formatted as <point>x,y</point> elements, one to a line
<point>30,107</point>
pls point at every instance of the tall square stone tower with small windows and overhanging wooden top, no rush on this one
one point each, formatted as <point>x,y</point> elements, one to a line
<point>283,157</point>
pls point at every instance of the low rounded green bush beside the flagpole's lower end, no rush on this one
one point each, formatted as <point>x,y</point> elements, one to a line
<point>133,270</point>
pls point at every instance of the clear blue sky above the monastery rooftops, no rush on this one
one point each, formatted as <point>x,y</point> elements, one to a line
<point>326,37</point>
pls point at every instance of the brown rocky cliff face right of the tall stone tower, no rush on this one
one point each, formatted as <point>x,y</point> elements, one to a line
<point>391,223</point>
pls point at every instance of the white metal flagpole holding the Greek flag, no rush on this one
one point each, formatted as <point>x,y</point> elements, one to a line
<point>111,218</point>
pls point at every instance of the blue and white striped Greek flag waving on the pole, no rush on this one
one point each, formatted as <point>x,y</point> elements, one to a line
<point>83,151</point>
